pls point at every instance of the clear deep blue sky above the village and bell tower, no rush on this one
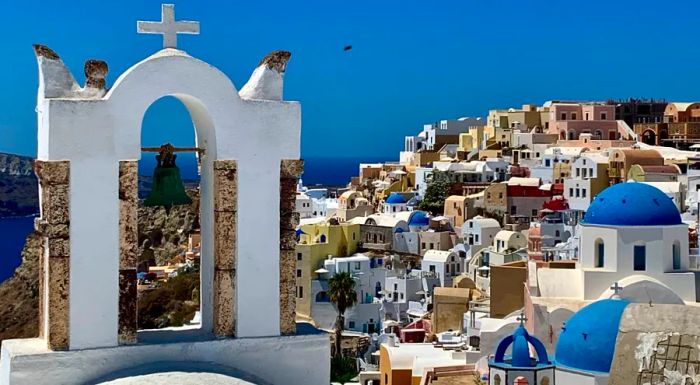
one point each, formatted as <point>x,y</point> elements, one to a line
<point>413,62</point>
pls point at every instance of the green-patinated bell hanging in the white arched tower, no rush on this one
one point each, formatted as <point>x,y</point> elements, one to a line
<point>167,190</point>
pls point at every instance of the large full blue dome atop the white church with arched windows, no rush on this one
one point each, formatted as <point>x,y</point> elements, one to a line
<point>632,204</point>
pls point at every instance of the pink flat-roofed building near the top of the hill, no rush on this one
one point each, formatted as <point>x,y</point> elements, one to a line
<point>571,119</point>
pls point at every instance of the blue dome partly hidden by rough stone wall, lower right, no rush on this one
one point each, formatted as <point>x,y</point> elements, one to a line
<point>587,340</point>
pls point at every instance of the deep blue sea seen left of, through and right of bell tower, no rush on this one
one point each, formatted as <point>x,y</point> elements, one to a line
<point>323,171</point>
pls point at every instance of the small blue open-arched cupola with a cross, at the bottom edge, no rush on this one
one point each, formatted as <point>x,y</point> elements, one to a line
<point>520,353</point>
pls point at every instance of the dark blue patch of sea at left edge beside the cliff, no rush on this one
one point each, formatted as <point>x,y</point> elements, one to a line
<point>13,233</point>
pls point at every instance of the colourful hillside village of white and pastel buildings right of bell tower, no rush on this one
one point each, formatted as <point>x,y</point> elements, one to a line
<point>498,230</point>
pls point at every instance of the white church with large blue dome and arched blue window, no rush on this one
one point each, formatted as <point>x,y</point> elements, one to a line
<point>631,234</point>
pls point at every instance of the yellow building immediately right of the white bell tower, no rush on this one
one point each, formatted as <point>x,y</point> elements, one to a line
<point>316,242</point>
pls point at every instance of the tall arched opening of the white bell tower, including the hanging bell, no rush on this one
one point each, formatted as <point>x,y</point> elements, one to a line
<point>168,269</point>
